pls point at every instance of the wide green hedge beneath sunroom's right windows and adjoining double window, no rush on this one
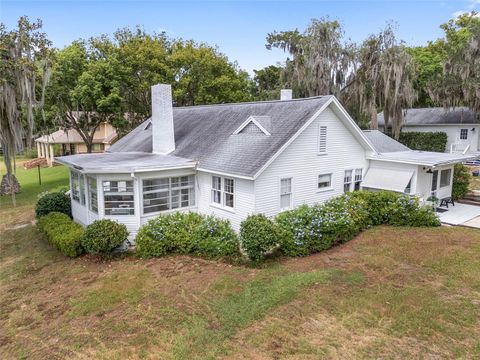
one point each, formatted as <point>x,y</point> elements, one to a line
<point>187,233</point>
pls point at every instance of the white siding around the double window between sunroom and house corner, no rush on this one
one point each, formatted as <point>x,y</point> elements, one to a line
<point>243,199</point>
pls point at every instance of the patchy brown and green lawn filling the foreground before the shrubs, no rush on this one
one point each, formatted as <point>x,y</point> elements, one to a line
<point>389,293</point>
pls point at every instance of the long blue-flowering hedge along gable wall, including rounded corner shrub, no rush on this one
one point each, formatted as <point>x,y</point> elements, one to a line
<point>309,229</point>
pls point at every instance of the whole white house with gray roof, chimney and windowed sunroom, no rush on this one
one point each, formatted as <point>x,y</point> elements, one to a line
<point>232,160</point>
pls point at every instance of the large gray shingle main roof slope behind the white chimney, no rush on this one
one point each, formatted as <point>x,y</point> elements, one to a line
<point>205,133</point>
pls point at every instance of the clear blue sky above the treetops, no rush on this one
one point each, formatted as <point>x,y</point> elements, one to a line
<point>238,28</point>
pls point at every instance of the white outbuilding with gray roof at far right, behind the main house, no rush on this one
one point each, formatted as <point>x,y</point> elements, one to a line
<point>461,125</point>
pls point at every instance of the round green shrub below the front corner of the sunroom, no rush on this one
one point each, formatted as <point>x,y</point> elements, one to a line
<point>102,236</point>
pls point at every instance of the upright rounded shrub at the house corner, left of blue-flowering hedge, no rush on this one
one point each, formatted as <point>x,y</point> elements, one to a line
<point>259,236</point>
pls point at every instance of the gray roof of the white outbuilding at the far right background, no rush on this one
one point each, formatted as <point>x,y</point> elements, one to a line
<point>436,116</point>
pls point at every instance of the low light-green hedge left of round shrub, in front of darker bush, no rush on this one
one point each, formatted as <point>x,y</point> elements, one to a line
<point>62,232</point>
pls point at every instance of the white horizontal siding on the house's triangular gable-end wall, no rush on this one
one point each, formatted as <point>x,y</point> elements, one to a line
<point>303,163</point>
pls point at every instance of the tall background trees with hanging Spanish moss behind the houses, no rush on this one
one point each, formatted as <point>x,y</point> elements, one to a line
<point>108,78</point>
